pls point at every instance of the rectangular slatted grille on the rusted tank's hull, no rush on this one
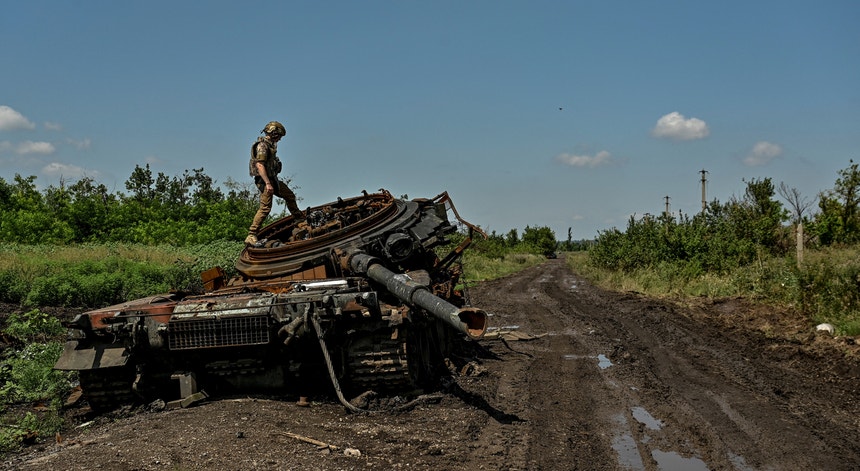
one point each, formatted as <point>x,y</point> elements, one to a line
<point>218,332</point>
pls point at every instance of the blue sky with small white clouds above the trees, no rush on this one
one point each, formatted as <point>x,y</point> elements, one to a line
<point>567,114</point>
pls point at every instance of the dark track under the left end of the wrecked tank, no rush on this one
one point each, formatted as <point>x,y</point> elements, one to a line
<point>108,388</point>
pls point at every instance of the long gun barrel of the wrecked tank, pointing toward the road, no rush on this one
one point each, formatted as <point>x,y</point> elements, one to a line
<point>470,321</point>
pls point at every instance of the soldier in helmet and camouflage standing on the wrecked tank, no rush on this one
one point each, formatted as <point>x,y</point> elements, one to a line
<point>265,167</point>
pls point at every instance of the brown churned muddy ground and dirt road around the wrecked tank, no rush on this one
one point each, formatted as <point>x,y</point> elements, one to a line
<point>575,377</point>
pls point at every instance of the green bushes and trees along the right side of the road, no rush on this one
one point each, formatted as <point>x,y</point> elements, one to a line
<point>725,236</point>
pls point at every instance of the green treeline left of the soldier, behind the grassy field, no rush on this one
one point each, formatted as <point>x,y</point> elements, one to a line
<point>181,210</point>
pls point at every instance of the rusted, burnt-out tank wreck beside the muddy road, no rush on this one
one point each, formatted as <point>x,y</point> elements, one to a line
<point>350,299</point>
